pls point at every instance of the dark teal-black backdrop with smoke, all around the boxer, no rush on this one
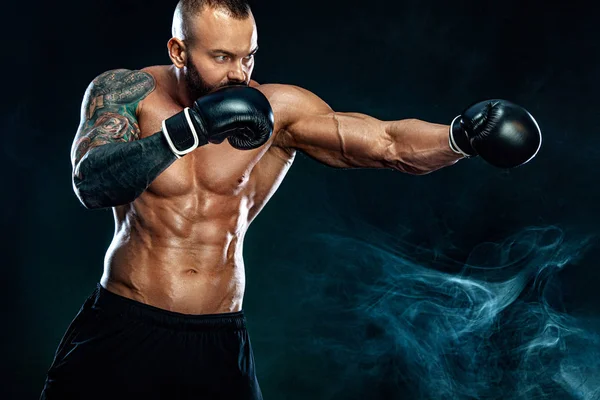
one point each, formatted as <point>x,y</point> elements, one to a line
<point>354,282</point>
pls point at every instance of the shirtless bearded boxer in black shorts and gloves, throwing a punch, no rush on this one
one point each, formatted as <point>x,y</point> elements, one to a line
<point>187,155</point>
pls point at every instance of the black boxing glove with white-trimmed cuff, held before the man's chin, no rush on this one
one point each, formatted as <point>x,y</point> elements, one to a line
<point>240,113</point>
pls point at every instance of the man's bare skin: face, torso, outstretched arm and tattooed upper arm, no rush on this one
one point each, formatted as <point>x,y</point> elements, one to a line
<point>179,245</point>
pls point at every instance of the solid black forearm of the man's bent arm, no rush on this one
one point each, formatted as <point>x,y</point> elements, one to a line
<point>117,173</point>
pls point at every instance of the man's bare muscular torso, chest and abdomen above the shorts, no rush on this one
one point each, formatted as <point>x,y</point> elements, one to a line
<point>179,245</point>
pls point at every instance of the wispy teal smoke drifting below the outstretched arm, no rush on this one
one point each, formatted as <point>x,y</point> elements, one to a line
<point>492,329</point>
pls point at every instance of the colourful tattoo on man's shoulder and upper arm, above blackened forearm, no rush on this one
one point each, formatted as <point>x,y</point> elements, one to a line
<point>110,106</point>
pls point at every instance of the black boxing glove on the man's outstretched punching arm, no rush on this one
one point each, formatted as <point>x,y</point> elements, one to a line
<point>502,133</point>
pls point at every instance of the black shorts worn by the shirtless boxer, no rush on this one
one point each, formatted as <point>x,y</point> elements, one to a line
<point>119,348</point>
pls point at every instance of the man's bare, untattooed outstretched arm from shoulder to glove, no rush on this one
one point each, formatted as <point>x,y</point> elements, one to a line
<point>353,140</point>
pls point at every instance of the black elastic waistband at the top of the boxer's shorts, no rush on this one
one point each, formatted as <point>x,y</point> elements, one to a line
<point>114,304</point>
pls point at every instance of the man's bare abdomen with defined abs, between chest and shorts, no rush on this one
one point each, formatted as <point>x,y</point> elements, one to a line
<point>162,256</point>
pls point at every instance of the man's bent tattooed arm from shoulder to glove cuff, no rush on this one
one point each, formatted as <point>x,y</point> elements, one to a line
<point>111,164</point>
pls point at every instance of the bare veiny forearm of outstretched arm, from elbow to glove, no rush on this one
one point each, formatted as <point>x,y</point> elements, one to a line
<point>418,147</point>
